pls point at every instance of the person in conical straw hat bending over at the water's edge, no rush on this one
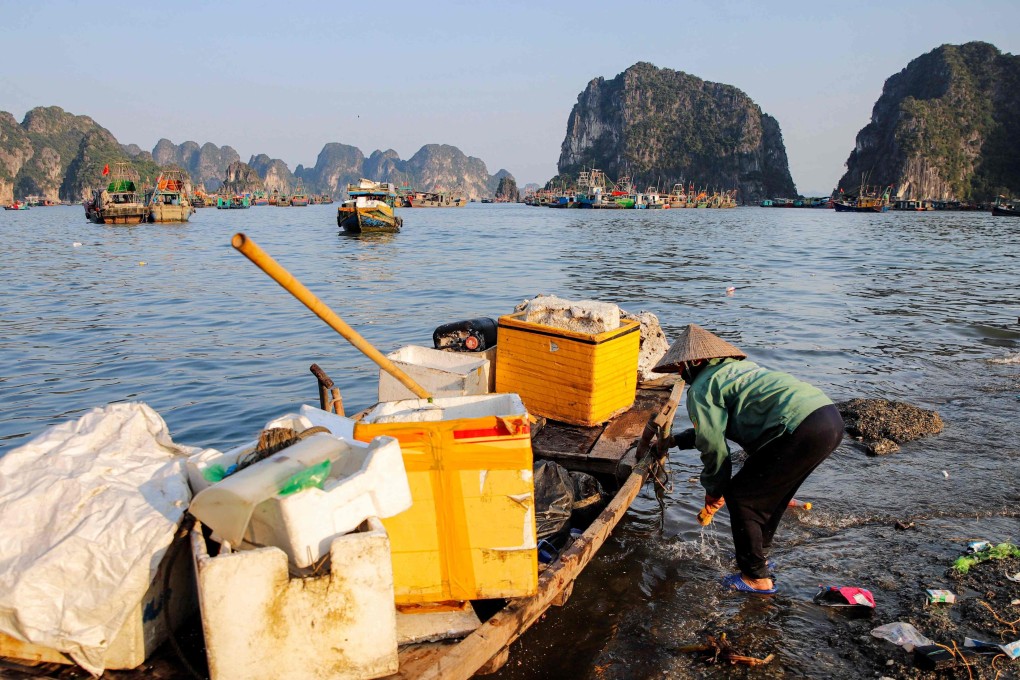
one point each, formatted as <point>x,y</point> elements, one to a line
<point>787,428</point>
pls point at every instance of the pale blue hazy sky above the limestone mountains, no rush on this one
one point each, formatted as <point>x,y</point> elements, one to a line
<point>496,80</point>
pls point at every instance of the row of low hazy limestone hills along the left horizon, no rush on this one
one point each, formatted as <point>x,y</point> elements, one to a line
<point>61,156</point>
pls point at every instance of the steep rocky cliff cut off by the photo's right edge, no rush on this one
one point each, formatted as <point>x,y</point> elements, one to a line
<point>945,128</point>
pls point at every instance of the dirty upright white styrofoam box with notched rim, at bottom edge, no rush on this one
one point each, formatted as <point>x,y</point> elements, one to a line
<point>262,624</point>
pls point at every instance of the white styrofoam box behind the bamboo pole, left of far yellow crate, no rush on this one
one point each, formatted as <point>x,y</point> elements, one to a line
<point>442,374</point>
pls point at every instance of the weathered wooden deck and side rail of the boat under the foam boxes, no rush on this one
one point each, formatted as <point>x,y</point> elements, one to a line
<point>613,450</point>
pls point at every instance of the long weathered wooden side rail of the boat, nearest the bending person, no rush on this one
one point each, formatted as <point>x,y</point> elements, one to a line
<point>465,659</point>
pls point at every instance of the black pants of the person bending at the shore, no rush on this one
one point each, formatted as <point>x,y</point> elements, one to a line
<point>759,494</point>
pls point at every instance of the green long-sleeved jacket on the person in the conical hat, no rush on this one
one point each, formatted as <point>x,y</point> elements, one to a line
<point>739,400</point>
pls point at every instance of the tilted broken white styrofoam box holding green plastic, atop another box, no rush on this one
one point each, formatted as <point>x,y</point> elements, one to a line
<point>366,481</point>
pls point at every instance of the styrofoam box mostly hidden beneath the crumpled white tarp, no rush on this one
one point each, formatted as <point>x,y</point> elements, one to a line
<point>145,630</point>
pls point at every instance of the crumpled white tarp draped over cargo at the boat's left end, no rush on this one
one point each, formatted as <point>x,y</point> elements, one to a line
<point>89,509</point>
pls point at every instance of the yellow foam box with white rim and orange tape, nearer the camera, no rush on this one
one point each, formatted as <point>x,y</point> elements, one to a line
<point>470,534</point>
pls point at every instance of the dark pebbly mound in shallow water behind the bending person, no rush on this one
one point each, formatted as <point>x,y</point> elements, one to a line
<point>883,425</point>
